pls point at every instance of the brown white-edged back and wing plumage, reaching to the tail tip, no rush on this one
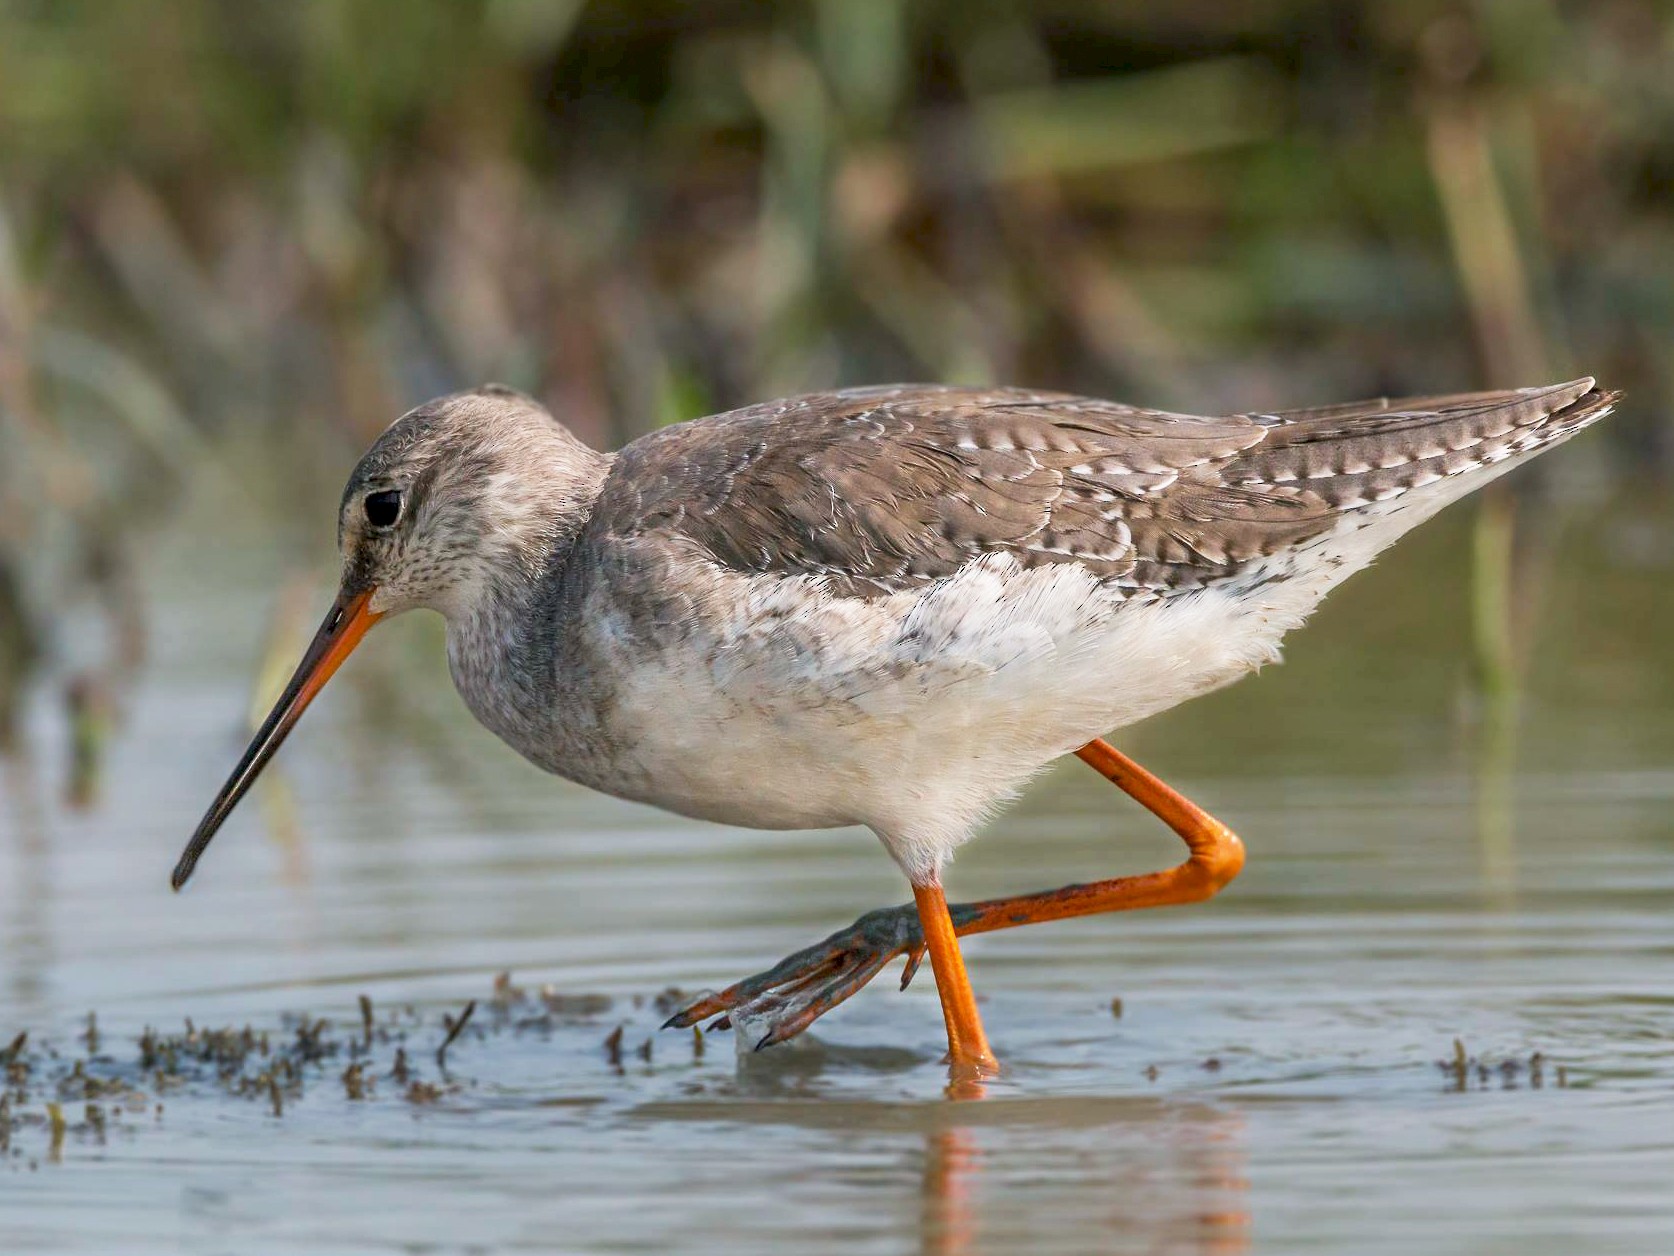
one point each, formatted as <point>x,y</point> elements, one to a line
<point>880,490</point>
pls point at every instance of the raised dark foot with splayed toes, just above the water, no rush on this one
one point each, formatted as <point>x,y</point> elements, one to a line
<point>804,987</point>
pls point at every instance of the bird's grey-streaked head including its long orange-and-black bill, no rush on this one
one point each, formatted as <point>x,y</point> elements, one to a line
<point>458,503</point>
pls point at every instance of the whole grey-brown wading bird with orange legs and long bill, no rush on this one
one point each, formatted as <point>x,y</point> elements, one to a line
<point>881,607</point>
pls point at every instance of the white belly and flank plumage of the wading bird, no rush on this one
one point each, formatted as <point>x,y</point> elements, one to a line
<point>913,714</point>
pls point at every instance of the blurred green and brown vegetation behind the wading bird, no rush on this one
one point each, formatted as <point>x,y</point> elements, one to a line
<point>239,239</point>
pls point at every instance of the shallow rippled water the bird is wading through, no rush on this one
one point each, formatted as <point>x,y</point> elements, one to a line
<point>1271,1084</point>
